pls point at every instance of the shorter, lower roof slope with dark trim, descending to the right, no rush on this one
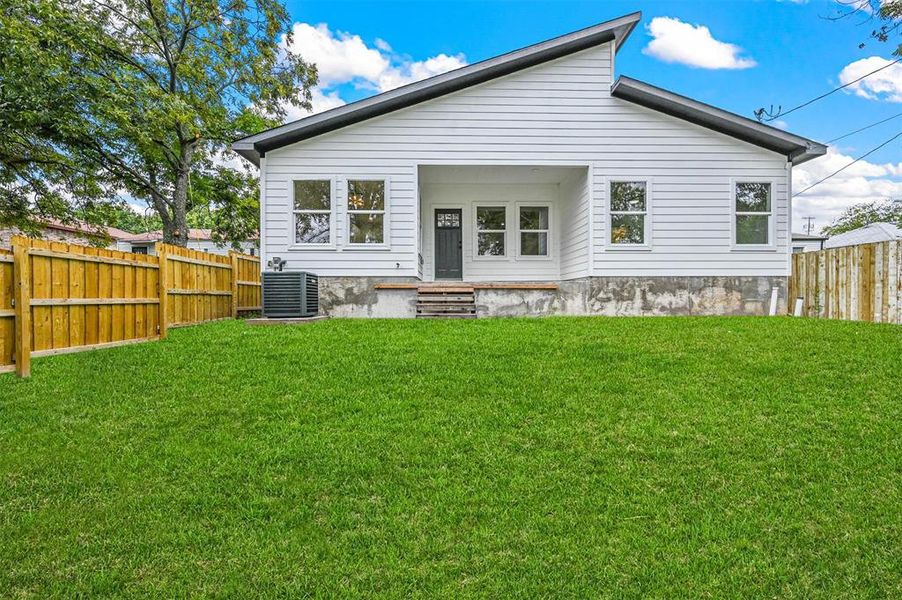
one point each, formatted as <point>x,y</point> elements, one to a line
<point>794,147</point>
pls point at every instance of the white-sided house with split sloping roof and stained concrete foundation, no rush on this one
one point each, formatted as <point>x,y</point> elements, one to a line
<point>539,180</point>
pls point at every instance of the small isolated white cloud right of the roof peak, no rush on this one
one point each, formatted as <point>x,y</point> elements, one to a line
<point>693,45</point>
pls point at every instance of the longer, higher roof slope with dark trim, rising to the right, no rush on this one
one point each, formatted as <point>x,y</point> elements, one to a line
<point>616,30</point>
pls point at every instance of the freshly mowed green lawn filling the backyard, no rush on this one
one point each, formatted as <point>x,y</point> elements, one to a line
<point>685,457</point>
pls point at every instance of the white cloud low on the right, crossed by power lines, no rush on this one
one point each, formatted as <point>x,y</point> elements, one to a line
<point>862,182</point>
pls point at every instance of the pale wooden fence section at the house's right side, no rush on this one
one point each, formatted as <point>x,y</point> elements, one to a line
<point>856,283</point>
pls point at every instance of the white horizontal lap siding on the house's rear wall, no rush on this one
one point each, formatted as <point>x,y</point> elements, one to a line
<point>559,113</point>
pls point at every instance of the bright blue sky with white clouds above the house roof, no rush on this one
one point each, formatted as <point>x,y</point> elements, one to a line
<point>782,53</point>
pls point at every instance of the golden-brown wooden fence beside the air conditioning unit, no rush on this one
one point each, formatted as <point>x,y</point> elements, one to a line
<point>57,297</point>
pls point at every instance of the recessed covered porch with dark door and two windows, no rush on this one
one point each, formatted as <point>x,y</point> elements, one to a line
<point>499,224</point>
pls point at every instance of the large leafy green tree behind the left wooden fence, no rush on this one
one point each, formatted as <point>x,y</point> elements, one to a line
<point>106,98</point>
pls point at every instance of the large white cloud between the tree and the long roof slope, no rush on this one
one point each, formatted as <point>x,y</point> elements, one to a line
<point>344,58</point>
